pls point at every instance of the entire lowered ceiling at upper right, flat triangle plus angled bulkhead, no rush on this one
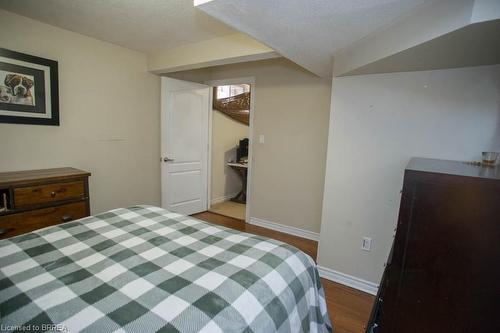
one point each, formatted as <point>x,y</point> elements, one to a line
<point>345,37</point>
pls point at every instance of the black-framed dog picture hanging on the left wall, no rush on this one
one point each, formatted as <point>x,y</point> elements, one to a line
<point>29,90</point>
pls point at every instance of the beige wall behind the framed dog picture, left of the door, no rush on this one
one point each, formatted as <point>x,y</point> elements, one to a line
<point>109,108</point>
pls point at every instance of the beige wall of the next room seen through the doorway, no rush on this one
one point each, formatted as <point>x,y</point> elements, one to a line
<point>226,133</point>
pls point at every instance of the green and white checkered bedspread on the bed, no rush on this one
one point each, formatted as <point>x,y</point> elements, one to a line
<point>145,269</point>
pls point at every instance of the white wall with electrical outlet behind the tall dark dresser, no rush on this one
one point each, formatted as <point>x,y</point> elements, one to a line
<point>377,123</point>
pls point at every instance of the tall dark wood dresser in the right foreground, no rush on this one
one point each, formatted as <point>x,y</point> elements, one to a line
<point>443,273</point>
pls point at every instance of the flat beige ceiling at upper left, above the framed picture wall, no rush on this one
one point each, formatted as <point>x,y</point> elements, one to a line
<point>143,25</point>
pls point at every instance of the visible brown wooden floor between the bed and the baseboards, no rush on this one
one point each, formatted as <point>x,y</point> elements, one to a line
<point>349,308</point>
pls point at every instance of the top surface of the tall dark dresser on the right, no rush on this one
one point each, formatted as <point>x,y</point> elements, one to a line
<point>456,168</point>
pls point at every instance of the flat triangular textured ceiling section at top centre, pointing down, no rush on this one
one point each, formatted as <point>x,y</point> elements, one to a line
<point>309,32</point>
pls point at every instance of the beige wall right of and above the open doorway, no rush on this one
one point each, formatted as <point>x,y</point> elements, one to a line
<point>292,109</point>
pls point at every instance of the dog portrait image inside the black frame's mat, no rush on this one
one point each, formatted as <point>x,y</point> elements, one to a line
<point>17,88</point>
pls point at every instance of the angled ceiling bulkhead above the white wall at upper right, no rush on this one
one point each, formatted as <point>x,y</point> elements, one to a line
<point>442,34</point>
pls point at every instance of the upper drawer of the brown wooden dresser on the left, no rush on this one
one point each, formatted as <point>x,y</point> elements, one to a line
<point>41,194</point>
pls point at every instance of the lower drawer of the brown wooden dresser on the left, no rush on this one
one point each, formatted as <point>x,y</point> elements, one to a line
<point>16,224</point>
